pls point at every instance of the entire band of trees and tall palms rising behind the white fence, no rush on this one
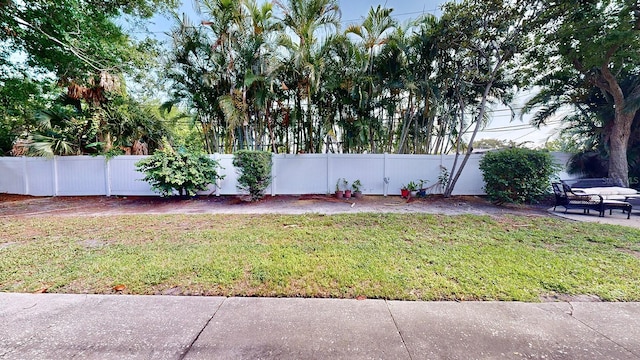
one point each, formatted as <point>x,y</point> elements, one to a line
<point>285,77</point>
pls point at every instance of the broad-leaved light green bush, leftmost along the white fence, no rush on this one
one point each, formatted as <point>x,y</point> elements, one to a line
<point>168,170</point>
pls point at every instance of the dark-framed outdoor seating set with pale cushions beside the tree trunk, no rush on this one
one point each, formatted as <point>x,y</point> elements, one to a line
<point>603,196</point>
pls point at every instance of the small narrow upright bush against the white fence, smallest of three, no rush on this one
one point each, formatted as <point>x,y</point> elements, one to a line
<point>254,168</point>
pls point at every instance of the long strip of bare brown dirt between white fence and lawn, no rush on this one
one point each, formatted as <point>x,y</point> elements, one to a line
<point>17,205</point>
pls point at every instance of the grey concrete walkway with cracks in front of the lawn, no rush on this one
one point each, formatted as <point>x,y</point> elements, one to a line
<point>55,326</point>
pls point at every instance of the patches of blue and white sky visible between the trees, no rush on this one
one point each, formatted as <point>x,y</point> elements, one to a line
<point>501,126</point>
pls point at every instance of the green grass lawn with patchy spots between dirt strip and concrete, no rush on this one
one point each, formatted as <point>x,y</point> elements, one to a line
<point>391,256</point>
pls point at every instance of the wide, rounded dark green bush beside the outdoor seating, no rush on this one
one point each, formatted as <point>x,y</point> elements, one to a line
<point>517,175</point>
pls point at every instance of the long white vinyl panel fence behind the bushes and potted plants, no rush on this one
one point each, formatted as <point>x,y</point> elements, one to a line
<point>292,174</point>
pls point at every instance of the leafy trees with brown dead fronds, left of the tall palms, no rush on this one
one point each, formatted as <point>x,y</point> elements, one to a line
<point>78,45</point>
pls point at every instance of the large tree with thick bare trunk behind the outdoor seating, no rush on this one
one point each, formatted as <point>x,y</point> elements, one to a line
<point>594,44</point>
